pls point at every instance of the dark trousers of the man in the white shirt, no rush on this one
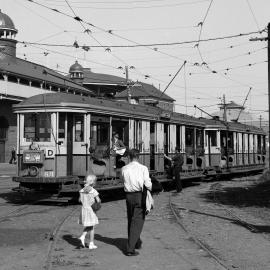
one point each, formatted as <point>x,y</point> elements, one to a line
<point>136,216</point>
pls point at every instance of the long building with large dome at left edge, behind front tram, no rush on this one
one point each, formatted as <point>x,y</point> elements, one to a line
<point>20,79</point>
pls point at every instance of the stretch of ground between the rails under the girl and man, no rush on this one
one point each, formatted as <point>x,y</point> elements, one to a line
<point>165,244</point>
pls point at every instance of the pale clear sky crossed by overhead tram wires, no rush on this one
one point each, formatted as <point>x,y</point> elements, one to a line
<point>154,38</point>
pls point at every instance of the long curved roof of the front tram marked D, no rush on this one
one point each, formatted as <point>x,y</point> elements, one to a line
<point>71,102</point>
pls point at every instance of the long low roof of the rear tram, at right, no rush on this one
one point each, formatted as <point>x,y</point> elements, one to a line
<point>232,126</point>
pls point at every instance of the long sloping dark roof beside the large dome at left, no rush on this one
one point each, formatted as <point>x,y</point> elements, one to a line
<point>34,71</point>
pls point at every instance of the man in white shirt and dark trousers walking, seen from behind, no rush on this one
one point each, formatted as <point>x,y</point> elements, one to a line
<point>135,176</point>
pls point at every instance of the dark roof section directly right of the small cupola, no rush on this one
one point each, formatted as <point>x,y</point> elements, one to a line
<point>99,78</point>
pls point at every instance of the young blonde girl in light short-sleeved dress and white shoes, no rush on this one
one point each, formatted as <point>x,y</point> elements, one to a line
<point>88,218</point>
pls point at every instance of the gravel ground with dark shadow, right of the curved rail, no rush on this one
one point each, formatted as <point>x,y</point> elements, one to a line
<point>211,212</point>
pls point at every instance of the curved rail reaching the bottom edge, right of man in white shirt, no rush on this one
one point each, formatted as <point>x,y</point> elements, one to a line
<point>195,239</point>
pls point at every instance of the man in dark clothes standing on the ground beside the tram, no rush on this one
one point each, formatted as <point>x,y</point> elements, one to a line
<point>178,162</point>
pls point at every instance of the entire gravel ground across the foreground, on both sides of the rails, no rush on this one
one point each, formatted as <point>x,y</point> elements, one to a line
<point>210,211</point>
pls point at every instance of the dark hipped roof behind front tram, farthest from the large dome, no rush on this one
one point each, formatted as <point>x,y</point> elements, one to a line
<point>144,90</point>
